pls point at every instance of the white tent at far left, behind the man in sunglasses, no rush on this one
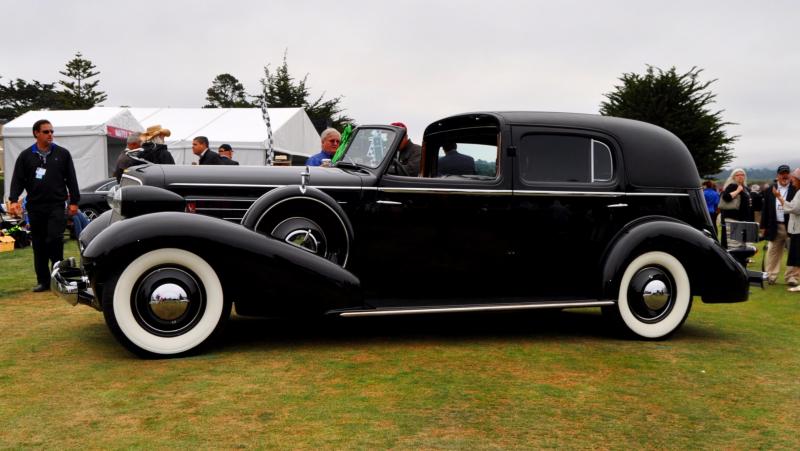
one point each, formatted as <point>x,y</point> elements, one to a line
<point>95,138</point>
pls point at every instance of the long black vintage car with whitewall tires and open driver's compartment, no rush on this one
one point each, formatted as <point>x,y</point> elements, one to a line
<point>555,211</point>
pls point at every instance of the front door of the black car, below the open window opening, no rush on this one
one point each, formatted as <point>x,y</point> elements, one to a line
<point>439,239</point>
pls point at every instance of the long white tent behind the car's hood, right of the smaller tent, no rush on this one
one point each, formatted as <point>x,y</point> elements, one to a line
<point>242,128</point>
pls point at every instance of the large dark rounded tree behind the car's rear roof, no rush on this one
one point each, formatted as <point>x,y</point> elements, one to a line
<point>679,103</point>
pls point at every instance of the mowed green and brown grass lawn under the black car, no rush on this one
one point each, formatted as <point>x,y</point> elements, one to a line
<point>727,380</point>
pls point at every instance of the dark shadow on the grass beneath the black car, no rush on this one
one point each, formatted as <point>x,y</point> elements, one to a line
<point>540,326</point>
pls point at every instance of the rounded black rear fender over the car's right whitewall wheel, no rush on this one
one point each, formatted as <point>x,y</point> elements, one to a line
<point>713,273</point>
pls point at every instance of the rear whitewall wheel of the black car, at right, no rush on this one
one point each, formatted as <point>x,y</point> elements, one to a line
<point>654,296</point>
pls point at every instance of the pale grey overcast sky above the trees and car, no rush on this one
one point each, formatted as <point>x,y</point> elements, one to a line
<point>417,61</point>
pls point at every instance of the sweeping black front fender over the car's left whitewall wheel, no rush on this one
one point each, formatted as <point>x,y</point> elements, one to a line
<point>257,272</point>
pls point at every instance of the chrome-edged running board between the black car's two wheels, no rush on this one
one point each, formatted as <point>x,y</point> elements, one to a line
<point>386,311</point>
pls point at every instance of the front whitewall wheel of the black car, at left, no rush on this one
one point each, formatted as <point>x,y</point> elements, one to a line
<point>166,302</point>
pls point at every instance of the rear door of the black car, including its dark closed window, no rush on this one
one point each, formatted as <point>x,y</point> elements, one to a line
<point>568,200</point>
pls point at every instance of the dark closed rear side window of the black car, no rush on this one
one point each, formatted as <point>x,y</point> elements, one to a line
<point>564,158</point>
